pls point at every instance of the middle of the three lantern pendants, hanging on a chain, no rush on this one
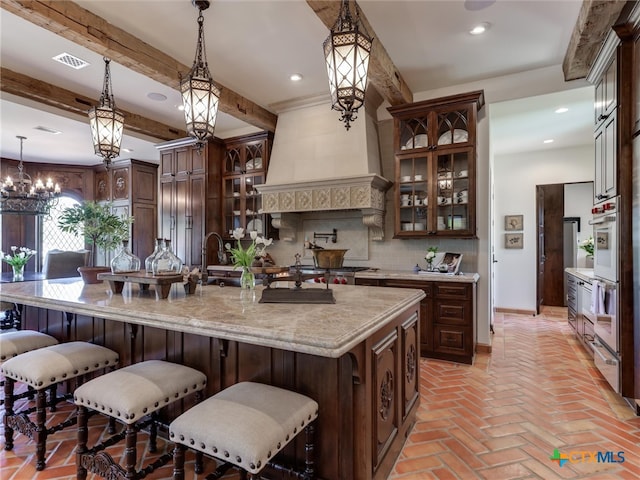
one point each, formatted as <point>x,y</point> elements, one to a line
<point>200,96</point>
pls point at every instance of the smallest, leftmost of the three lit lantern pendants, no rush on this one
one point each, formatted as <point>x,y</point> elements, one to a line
<point>107,122</point>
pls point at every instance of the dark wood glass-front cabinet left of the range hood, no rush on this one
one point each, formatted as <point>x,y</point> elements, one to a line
<point>245,166</point>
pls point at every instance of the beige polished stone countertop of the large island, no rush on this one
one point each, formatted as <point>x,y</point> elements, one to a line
<point>328,330</point>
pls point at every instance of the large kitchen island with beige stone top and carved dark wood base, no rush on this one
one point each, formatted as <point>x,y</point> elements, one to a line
<point>358,357</point>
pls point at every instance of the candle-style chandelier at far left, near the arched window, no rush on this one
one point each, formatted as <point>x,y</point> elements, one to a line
<point>19,195</point>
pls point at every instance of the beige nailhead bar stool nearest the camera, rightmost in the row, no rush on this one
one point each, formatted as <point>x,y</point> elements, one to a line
<point>245,426</point>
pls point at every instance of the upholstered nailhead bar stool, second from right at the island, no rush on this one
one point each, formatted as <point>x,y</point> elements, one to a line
<point>132,395</point>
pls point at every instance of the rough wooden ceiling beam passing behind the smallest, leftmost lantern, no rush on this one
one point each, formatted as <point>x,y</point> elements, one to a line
<point>68,101</point>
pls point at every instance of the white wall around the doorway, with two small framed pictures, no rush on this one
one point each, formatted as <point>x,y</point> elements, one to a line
<point>516,177</point>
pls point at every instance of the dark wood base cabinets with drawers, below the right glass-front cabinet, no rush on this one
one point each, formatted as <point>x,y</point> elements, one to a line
<point>447,317</point>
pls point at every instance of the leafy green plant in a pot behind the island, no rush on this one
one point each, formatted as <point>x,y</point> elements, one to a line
<point>100,228</point>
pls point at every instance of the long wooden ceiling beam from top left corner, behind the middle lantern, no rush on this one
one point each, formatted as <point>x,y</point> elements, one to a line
<point>84,28</point>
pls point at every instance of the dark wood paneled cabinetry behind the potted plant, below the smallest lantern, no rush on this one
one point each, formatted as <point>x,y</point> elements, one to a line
<point>131,186</point>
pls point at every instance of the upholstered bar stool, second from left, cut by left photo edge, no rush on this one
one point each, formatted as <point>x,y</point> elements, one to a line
<point>41,369</point>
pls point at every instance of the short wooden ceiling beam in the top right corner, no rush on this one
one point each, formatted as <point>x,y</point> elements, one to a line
<point>594,22</point>
